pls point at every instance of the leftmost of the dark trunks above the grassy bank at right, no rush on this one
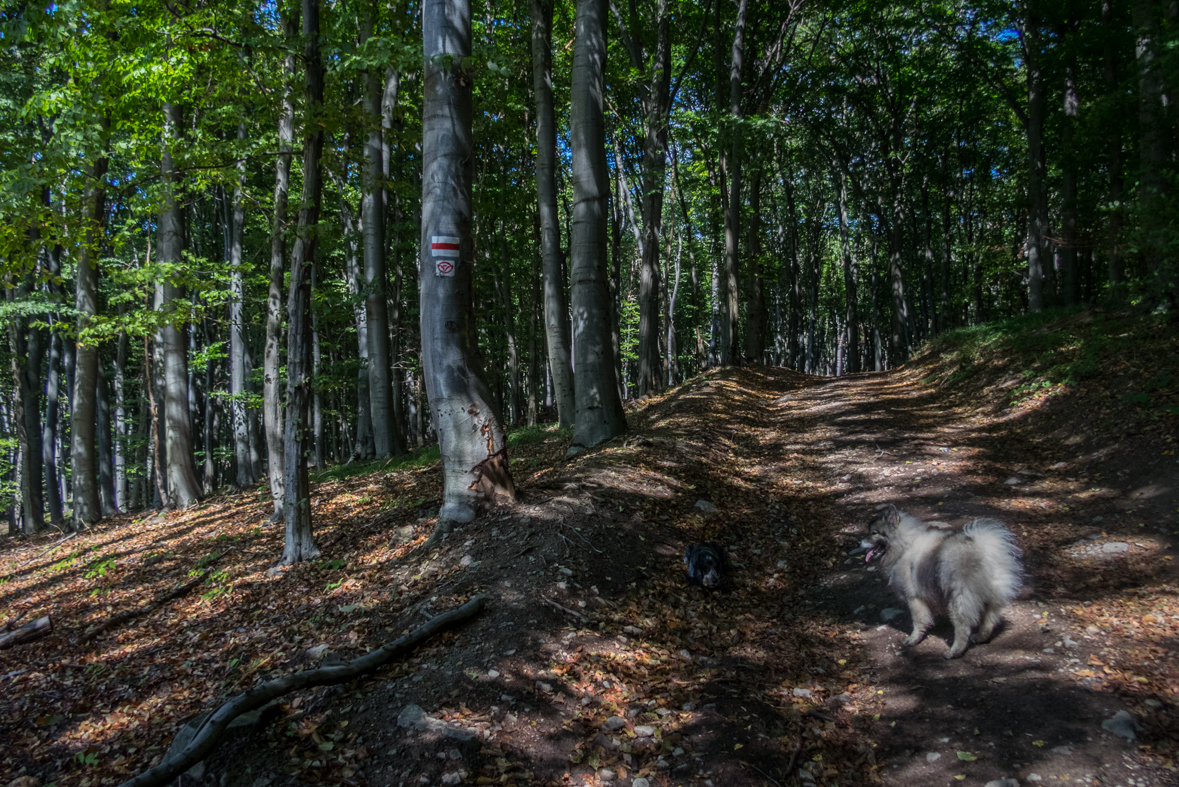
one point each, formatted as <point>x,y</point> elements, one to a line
<point>1038,194</point>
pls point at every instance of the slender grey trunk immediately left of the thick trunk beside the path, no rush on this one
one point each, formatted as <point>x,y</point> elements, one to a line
<point>557,320</point>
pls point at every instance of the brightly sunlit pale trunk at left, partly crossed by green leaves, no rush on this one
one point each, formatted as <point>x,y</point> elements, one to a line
<point>185,491</point>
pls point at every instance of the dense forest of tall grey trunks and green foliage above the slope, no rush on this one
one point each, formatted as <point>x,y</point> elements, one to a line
<point>241,240</point>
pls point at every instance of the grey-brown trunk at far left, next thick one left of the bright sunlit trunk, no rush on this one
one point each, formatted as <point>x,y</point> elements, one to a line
<point>84,413</point>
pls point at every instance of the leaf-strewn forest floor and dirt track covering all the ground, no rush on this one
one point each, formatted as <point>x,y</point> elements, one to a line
<point>594,663</point>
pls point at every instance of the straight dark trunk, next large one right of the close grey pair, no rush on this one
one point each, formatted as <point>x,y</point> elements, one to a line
<point>655,163</point>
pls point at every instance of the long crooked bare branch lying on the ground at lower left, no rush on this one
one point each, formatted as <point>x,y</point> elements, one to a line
<point>206,739</point>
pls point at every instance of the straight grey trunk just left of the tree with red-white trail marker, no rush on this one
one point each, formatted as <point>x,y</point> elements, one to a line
<point>386,437</point>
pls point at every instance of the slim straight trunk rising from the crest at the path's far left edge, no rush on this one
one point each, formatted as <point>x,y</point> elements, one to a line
<point>732,168</point>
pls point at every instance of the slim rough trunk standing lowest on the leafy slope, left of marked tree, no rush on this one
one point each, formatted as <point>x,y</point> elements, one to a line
<point>300,539</point>
